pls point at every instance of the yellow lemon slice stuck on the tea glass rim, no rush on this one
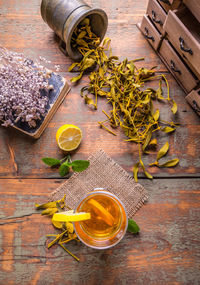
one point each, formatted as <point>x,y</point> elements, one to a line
<point>68,216</point>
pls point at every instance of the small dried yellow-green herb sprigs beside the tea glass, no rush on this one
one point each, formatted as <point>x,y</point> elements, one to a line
<point>67,229</point>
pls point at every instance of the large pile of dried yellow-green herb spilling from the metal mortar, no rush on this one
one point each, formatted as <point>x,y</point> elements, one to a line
<point>123,85</point>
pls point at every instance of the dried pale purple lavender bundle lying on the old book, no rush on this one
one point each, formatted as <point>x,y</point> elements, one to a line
<point>24,89</point>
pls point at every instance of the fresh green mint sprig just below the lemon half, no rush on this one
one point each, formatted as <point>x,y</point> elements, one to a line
<point>66,164</point>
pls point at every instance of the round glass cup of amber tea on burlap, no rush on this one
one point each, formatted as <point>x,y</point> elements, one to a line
<point>108,223</point>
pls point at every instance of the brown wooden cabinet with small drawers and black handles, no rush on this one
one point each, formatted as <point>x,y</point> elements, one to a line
<point>177,41</point>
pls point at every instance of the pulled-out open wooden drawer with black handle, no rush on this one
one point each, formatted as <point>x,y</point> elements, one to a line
<point>183,31</point>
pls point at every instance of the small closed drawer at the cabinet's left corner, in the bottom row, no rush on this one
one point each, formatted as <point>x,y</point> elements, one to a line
<point>150,32</point>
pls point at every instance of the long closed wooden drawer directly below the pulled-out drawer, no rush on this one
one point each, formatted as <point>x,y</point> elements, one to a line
<point>176,66</point>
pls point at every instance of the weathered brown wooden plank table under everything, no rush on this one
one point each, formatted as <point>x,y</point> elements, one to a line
<point>167,250</point>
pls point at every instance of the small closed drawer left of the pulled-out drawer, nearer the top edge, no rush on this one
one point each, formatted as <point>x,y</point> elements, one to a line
<point>157,15</point>
